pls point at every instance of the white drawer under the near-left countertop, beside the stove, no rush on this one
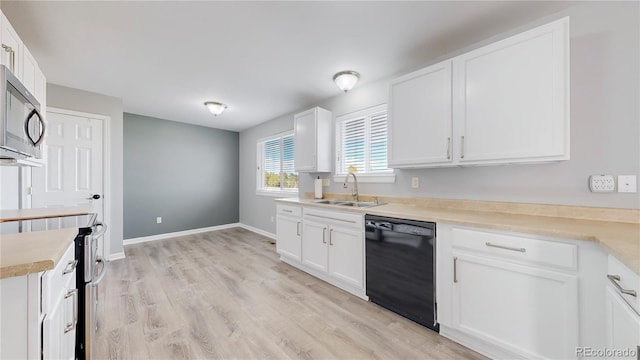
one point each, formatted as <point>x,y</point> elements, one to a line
<point>58,280</point>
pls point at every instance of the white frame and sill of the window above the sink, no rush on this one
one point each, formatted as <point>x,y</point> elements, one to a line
<point>380,176</point>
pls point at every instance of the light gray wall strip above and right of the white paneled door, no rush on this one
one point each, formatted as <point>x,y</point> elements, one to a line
<point>85,101</point>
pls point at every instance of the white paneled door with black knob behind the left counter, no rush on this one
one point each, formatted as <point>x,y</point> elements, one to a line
<point>74,163</point>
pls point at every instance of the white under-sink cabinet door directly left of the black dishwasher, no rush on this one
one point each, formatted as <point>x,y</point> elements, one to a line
<point>346,256</point>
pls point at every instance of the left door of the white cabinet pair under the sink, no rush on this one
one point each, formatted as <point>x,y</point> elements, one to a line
<point>315,245</point>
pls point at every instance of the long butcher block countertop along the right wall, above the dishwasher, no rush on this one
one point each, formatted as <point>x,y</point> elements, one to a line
<point>616,230</point>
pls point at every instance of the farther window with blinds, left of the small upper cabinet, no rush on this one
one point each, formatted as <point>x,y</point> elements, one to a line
<point>276,171</point>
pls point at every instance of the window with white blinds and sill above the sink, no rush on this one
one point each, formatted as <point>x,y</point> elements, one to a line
<point>361,145</point>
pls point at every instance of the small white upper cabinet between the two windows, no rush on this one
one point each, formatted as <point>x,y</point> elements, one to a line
<point>312,133</point>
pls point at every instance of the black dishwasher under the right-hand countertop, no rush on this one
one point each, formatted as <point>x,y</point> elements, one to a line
<point>401,267</point>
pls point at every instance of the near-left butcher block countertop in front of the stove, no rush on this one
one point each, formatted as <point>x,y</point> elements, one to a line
<point>32,252</point>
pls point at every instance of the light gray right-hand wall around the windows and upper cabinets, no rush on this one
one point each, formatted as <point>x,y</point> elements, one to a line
<point>605,128</point>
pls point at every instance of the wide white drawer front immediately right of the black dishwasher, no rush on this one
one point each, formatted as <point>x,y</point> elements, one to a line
<point>518,248</point>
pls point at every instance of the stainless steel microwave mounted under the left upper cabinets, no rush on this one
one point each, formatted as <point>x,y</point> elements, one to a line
<point>21,124</point>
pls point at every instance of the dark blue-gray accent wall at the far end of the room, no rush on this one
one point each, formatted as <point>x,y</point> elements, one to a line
<point>186,174</point>
